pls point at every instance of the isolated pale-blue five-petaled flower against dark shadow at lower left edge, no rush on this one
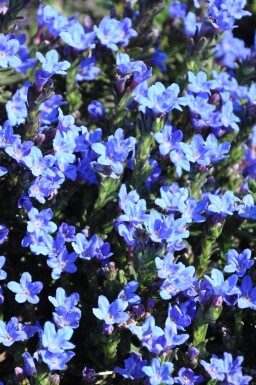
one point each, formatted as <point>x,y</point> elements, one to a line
<point>26,290</point>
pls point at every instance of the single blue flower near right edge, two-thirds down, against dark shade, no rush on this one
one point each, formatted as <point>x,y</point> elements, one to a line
<point>238,263</point>
